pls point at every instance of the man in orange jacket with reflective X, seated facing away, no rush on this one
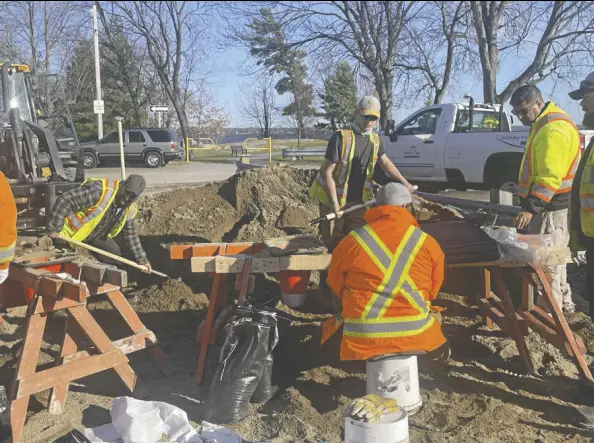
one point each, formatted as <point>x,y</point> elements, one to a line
<point>386,274</point>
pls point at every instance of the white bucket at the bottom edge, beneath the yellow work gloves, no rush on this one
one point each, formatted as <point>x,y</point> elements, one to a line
<point>391,430</point>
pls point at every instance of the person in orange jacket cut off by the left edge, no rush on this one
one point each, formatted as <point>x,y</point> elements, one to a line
<point>8,230</point>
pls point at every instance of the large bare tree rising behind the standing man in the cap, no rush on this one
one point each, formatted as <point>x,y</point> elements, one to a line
<point>368,32</point>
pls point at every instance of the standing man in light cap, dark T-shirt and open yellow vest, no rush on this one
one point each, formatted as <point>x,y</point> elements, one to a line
<point>345,177</point>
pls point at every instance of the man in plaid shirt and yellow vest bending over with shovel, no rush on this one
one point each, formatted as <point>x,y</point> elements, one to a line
<point>97,212</point>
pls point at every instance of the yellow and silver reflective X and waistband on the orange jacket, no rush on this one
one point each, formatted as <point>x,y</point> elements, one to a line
<point>373,322</point>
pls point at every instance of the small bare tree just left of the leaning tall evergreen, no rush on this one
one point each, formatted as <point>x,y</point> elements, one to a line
<point>258,105</point>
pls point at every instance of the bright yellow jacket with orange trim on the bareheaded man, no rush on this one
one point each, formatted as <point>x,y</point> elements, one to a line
<point>544,184</point>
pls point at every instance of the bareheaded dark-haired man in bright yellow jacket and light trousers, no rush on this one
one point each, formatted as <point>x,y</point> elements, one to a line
<point>546,176</point>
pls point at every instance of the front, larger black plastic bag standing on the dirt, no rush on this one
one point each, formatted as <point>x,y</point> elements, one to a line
<point>241,364</point>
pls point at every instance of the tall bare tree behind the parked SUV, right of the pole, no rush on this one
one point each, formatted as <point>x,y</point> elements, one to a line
<point>172,32</point>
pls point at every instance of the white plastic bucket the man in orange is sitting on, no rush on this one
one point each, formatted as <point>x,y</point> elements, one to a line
<point>397,377</point>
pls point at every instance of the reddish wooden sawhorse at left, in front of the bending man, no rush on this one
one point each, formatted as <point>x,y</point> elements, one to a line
<point>53,293</point>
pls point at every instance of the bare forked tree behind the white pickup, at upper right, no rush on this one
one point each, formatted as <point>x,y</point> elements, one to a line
<point>553,35</point>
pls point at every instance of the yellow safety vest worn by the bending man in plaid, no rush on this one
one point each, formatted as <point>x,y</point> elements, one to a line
<point>80,225</point>
